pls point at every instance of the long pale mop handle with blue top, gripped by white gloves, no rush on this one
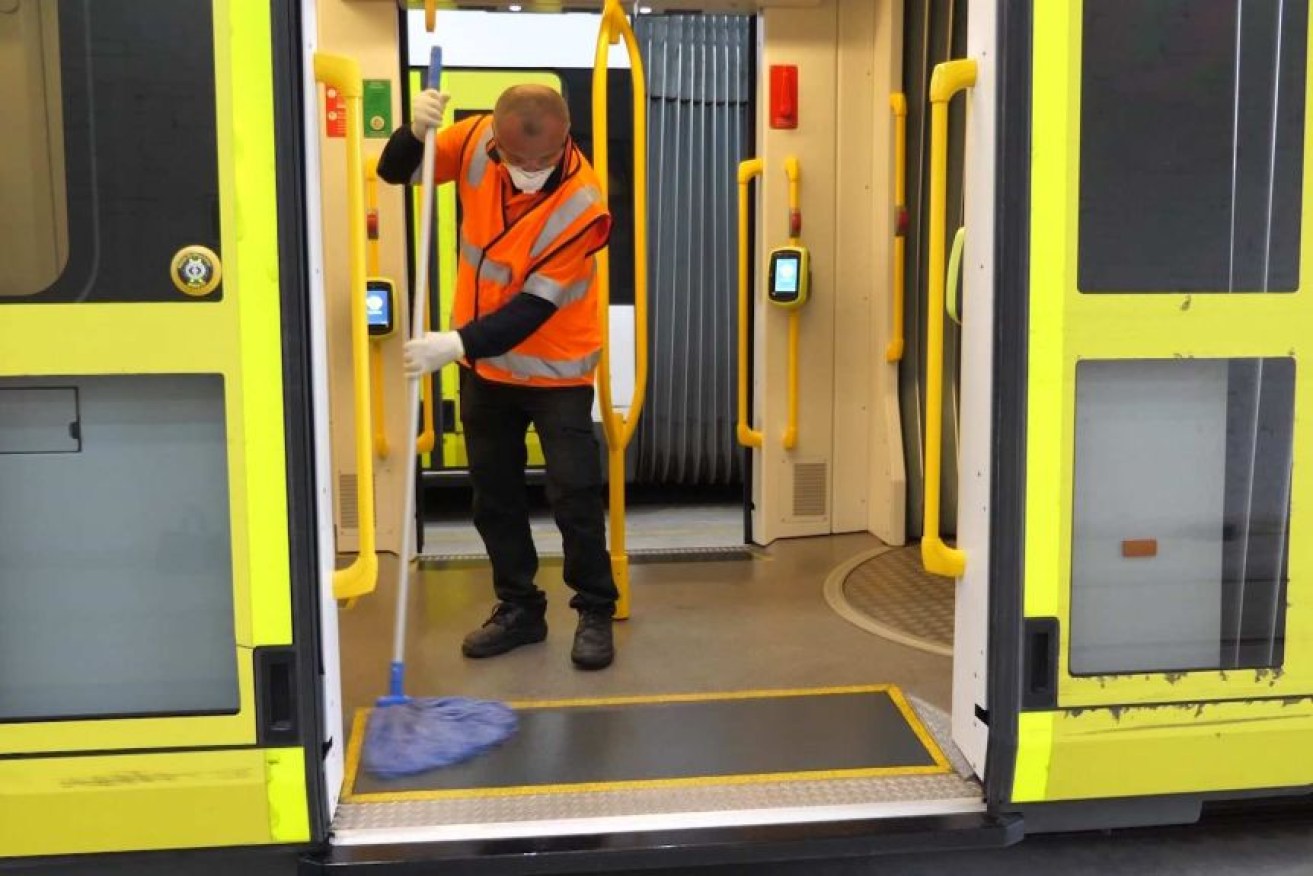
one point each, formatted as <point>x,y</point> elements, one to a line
<point>418,309</point>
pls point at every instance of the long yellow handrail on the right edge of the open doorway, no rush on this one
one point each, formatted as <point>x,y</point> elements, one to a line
<point>947,81</point>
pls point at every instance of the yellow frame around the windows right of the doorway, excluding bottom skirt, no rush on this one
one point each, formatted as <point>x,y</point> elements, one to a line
<point>1068,328</point>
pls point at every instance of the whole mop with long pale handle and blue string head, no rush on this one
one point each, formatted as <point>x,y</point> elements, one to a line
<point>406,736</point>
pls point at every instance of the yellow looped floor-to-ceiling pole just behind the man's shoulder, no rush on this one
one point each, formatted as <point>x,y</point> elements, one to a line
<point>620,430</point>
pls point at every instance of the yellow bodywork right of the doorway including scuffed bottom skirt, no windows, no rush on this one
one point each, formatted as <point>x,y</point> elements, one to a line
<point>1147,734</point>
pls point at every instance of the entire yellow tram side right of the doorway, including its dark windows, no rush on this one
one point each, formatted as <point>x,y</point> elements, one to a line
<point>1169,508</point>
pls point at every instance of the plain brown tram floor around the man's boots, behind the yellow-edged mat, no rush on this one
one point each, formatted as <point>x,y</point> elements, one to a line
<point>757,622</point>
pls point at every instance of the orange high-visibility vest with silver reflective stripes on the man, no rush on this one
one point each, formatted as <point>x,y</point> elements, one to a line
<point>497,262</point>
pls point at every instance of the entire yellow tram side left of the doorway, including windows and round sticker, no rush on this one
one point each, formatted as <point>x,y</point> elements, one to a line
<point>145,554</point>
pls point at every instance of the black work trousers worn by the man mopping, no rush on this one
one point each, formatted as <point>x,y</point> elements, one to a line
<point>497,418</point>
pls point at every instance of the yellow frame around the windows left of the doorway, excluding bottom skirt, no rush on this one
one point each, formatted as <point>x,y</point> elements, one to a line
<point>240,338</point>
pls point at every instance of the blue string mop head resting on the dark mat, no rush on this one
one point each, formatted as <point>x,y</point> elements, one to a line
<point>427,734</point>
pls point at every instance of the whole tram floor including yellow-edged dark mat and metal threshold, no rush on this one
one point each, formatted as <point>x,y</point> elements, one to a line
<point>703,632</point>
